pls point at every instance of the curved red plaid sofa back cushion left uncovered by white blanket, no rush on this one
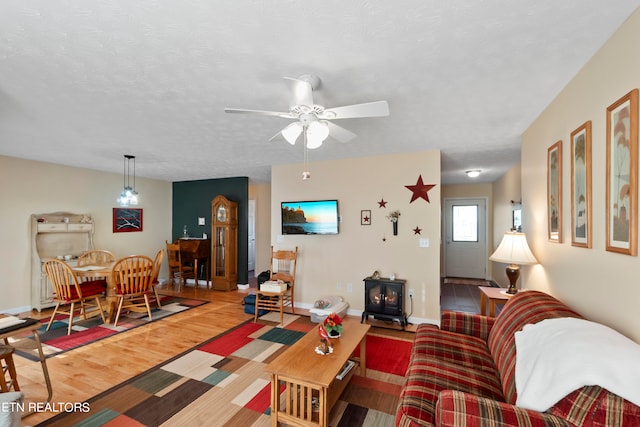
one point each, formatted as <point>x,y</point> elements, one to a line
<point>523,308</point>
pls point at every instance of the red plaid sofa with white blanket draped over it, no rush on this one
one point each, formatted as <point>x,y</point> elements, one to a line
<point>463,374</point>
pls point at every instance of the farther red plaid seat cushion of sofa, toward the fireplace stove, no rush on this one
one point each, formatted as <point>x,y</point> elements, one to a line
<point>452,347</point>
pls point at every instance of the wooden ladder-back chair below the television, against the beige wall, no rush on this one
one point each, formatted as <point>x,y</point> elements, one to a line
<point>283,267</point>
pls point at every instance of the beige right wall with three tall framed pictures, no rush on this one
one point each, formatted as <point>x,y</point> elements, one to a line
<point>601,285</point>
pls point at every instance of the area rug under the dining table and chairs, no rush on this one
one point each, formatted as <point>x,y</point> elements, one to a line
<point>56,341</point>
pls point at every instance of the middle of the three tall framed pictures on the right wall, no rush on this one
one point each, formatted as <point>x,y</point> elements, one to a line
<point>581,186</point>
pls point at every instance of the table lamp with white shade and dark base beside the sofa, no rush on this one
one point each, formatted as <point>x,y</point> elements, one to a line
<point>513,250</point>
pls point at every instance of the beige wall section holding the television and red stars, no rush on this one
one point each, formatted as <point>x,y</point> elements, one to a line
<point>329,264</point>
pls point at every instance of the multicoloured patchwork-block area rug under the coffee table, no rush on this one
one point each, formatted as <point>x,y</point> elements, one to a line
<point>222,382</point>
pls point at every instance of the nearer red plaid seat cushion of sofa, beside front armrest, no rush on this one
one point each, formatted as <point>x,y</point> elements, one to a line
<point>427,377</point>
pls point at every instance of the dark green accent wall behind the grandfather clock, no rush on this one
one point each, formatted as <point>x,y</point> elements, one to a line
<point>192,199</point>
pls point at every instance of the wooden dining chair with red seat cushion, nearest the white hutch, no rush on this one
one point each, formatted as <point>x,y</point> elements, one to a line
<point>68,292</point>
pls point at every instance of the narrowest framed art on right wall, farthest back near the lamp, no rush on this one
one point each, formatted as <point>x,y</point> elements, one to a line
<point>554,192</point>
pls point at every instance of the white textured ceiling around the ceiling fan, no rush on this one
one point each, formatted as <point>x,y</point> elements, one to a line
<point>84,82</point>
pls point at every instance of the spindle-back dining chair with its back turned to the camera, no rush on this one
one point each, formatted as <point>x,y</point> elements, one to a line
<point>132,278</point>
